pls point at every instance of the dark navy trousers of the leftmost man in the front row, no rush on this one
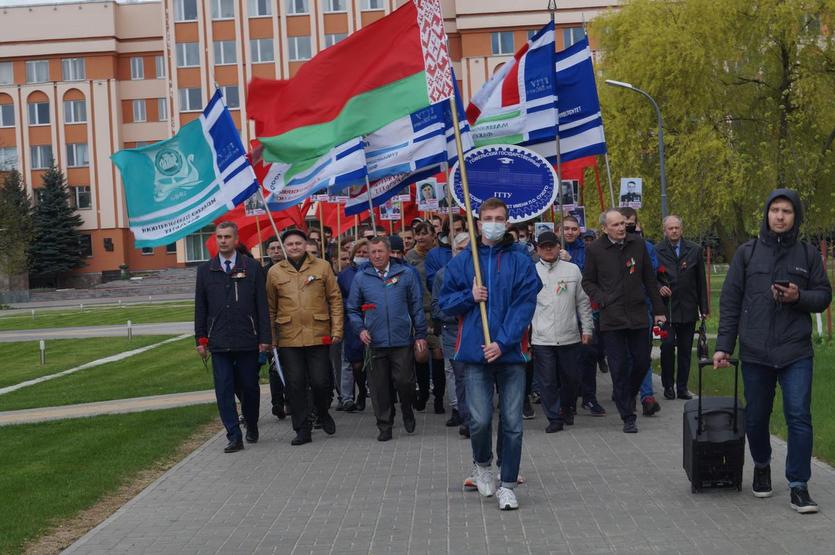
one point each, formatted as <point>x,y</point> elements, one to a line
<point>236,371</point>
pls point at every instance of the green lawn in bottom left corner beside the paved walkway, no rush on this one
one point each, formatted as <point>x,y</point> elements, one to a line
<point>54,470</point>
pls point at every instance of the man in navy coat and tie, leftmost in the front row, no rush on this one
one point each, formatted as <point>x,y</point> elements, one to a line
<point>232,323</point>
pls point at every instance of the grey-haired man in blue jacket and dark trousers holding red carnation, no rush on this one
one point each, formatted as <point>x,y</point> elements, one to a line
<point>385,306</point>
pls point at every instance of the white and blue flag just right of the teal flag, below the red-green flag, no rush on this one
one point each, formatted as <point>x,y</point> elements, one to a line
<point>342,167</point>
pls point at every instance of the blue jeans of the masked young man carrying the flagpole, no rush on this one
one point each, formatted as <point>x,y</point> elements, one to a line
<point>481,381</point>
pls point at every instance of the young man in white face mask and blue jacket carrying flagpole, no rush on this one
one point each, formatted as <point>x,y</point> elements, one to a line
<point>510,286</point>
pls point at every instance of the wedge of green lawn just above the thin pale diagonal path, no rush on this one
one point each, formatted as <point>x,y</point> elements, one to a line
<point>22,359</point>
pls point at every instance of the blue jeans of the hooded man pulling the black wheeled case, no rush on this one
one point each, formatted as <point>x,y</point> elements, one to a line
<point>796,384</point>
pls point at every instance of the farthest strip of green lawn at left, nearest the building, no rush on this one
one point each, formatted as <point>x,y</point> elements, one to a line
<point>180,311</point>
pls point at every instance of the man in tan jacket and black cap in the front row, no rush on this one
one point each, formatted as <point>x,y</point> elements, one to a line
<point>307,316</point>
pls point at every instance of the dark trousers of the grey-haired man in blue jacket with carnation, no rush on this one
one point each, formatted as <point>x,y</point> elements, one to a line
<point>391,368</point>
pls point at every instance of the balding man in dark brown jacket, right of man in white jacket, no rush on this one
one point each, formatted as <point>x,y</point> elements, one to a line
<point>618,275</point>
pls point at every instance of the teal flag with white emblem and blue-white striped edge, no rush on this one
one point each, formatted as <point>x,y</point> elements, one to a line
<point>177,186</point>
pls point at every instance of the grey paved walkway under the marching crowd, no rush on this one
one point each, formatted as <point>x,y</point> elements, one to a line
<point>591,489</point>
